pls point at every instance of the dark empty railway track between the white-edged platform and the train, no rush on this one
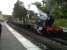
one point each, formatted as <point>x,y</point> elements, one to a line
<point>53,44</point>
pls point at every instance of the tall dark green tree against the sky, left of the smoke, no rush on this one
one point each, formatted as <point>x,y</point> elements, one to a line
<point>19,11</point>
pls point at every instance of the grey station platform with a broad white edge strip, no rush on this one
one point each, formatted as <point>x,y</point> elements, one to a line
<point>11,40</point>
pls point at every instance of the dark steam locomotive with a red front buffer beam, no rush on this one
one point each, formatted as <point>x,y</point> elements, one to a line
<point>40,22</point>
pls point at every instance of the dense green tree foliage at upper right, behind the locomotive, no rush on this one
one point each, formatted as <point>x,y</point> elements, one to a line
<point>56,8</point>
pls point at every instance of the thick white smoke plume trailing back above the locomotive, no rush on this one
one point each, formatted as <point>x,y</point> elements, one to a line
<point>41,15</point>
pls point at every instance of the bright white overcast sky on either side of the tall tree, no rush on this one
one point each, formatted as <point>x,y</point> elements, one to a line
<point>6,6</point>
